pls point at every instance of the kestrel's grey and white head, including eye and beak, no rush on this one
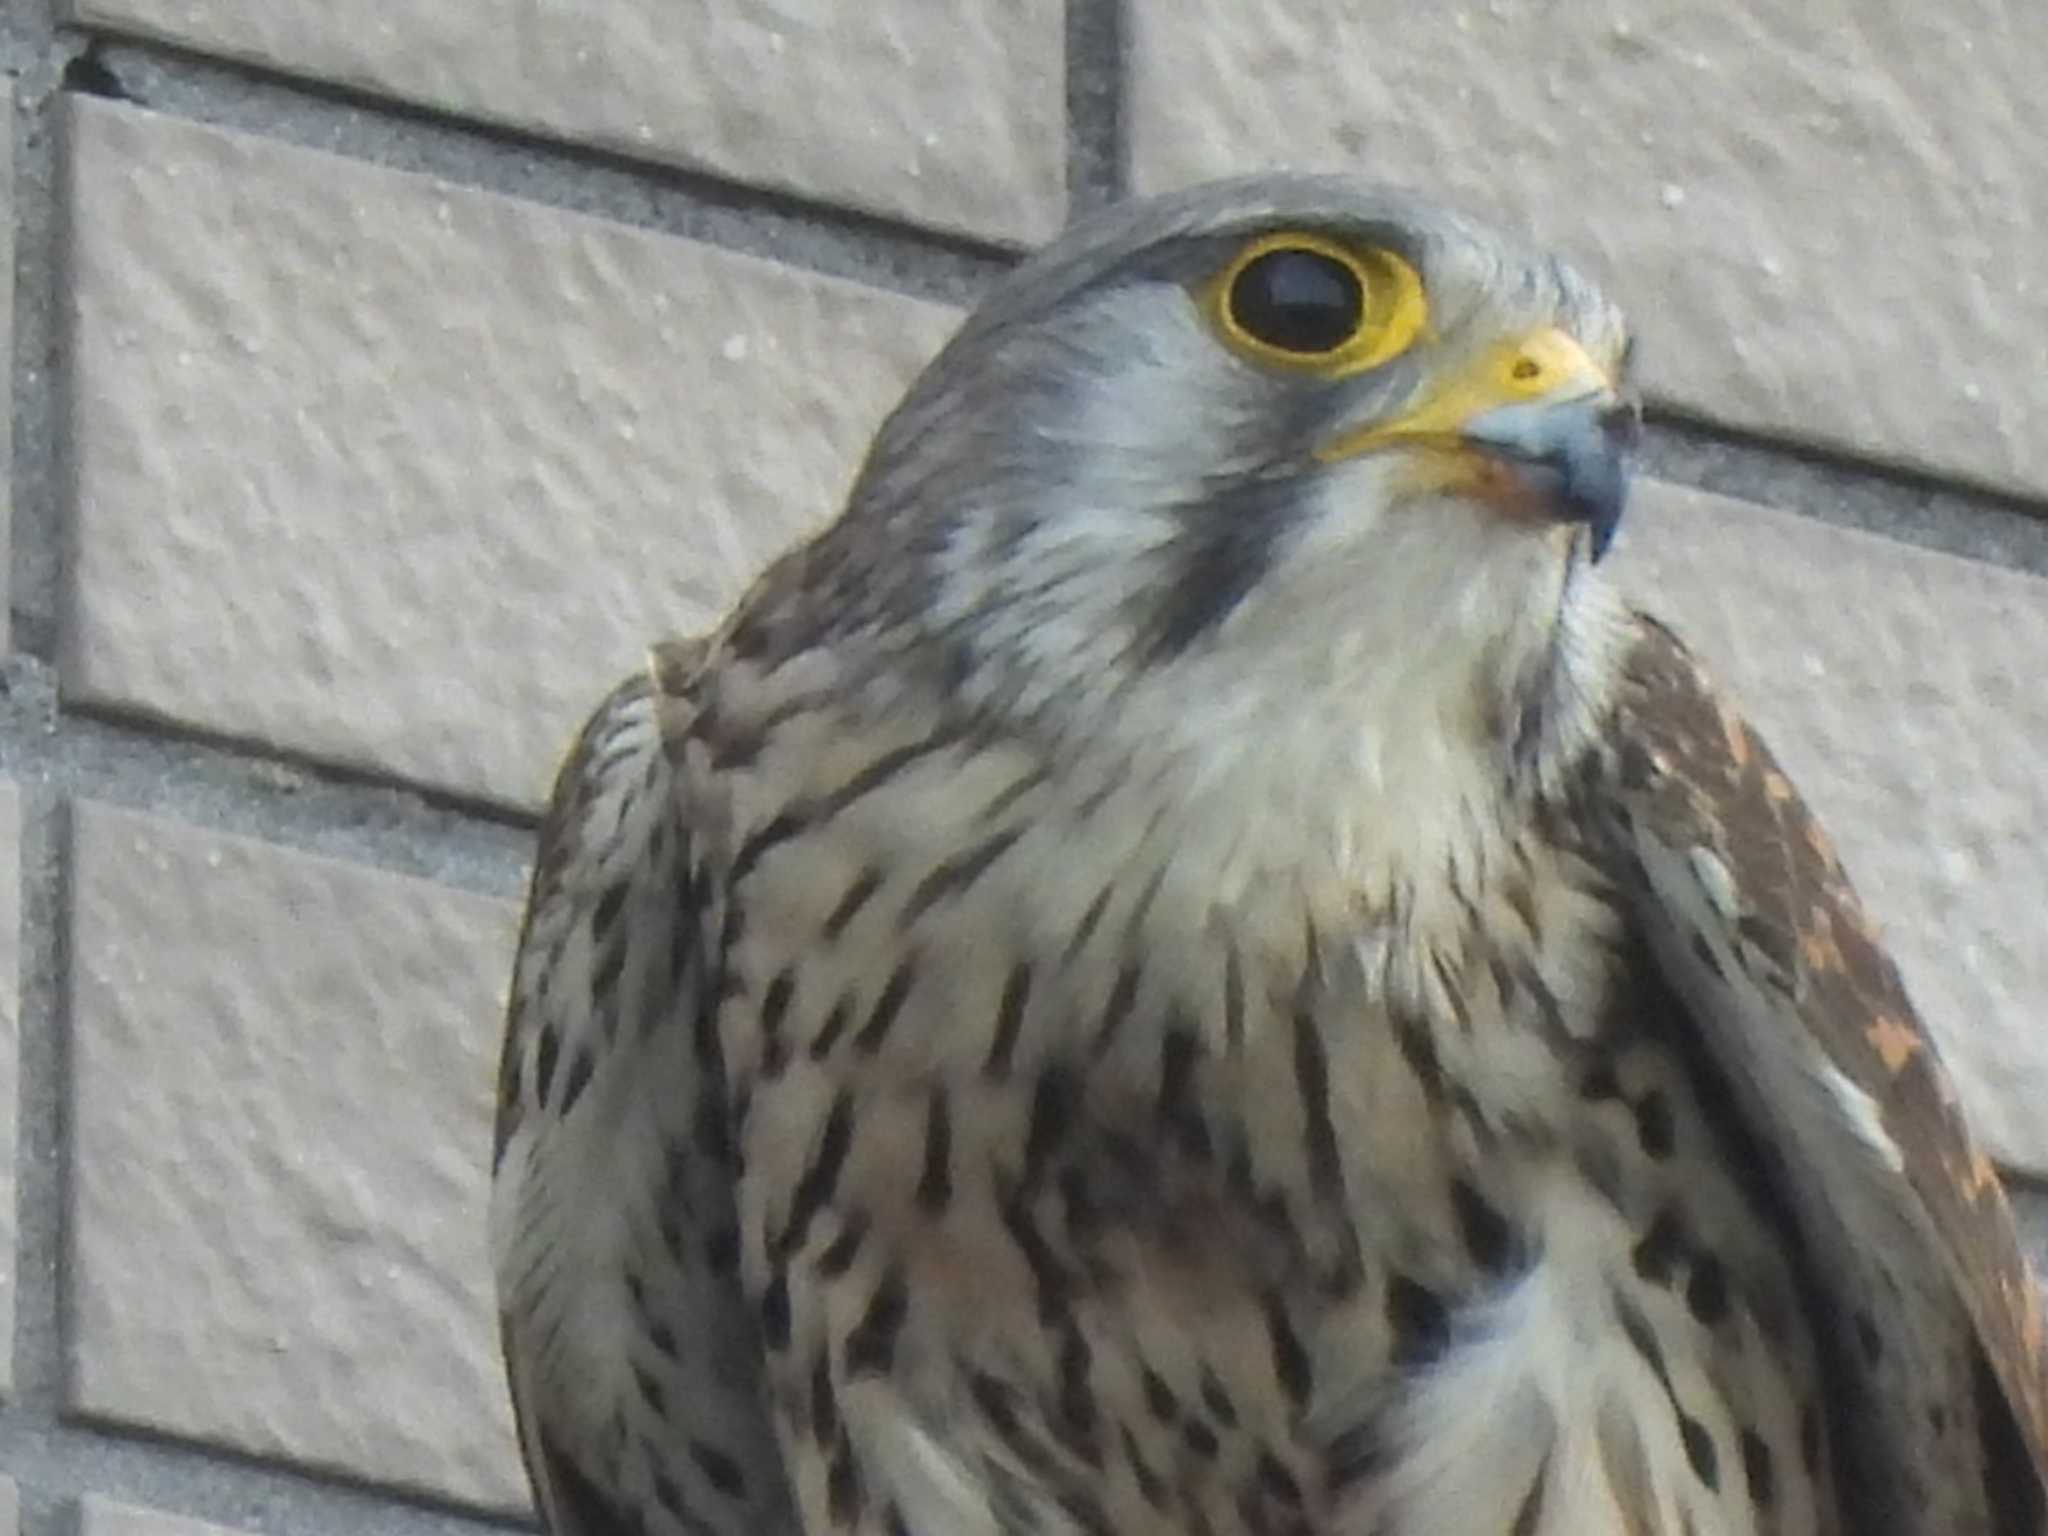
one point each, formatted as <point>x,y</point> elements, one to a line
<point>1258,454</point>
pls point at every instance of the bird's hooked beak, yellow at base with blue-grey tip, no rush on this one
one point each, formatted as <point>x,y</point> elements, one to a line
<point>1537,427</point>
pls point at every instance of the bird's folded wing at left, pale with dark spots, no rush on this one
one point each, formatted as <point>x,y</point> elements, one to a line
<point>632,1353</point>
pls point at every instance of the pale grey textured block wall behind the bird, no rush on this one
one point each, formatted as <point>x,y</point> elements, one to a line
<point>386,374</point>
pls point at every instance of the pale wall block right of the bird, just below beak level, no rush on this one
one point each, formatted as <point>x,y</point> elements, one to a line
<point>1904,693</point>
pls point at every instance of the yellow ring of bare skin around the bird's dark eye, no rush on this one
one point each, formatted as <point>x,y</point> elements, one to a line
<point>1314,304</point>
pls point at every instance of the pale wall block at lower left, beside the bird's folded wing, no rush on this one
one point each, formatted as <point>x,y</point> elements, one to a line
<point>282,1111</point>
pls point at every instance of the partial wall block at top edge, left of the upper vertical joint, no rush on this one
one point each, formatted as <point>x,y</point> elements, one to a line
<point>947,116</point>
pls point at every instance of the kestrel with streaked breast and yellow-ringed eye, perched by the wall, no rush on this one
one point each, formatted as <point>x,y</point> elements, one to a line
<point>1189,970</point>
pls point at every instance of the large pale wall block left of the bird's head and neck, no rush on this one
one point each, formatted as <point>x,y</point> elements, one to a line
<point>402,476</point>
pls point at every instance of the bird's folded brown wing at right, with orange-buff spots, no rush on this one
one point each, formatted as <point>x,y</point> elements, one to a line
<point>1936,1351</point>
